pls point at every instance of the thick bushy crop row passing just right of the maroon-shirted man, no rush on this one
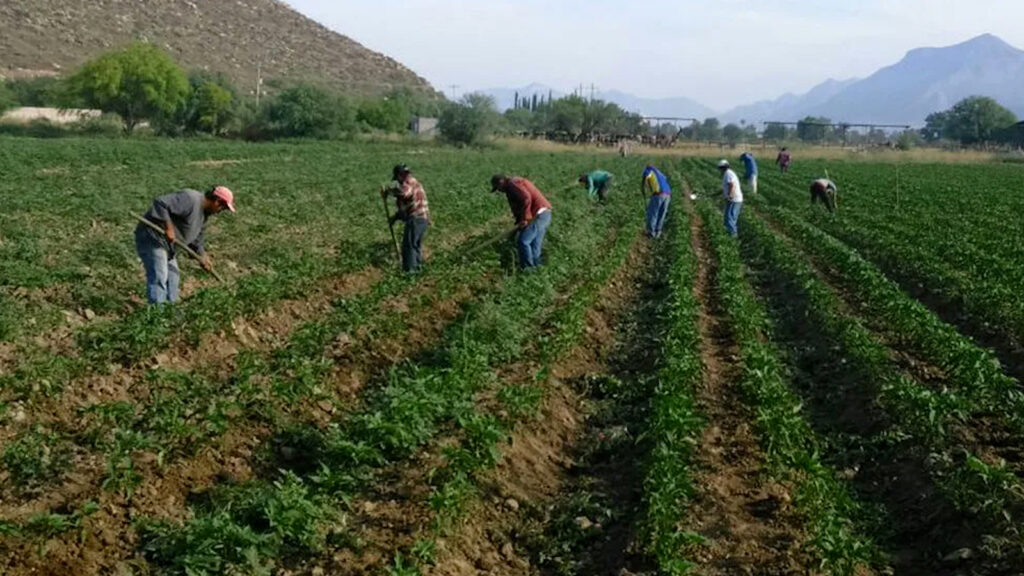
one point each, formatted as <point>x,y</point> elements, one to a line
<point>394,423</point>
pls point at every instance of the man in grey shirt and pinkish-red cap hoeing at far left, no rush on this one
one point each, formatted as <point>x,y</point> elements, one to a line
<point>183,216</point>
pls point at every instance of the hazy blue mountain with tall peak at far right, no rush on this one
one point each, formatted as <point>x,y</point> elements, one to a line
<point>926,80</point>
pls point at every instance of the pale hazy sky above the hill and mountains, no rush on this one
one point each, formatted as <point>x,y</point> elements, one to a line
<point>721,53</point>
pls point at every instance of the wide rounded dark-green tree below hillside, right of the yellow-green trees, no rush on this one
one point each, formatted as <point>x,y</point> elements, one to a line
<point>306,110</point>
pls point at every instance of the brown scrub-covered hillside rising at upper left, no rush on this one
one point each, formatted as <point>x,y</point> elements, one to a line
<point>237,38</point>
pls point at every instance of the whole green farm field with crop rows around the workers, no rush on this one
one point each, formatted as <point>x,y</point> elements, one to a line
<point>824,395</point>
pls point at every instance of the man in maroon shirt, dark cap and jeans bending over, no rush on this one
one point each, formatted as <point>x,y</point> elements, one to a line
<point>532,213</point>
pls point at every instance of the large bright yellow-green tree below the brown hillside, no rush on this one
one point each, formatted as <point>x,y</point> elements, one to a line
<point>140,83</point>
